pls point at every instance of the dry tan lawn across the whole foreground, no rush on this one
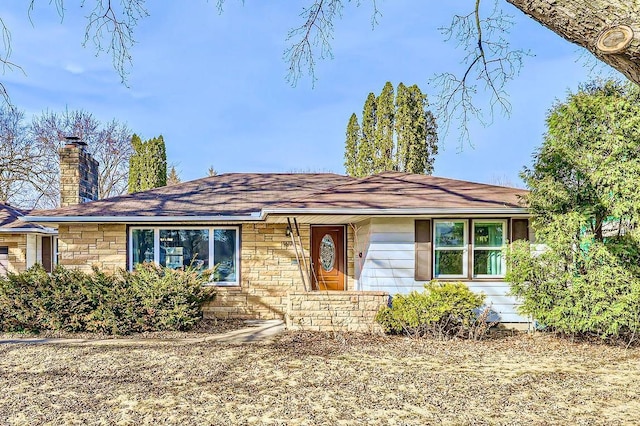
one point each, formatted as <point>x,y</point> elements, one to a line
<point>309,379</point>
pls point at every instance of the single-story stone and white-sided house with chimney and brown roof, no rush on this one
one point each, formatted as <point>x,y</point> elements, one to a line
<point>278,241</point>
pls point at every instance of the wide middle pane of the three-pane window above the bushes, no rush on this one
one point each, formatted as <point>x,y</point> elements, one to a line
<point>182,248</point>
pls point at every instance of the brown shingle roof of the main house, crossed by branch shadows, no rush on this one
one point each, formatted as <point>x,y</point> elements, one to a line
<point>241,194</point>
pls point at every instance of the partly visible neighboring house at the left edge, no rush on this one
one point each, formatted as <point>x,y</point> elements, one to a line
<point>24,244</point>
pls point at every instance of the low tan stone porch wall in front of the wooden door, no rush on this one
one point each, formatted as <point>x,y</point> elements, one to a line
<point>335,311</point>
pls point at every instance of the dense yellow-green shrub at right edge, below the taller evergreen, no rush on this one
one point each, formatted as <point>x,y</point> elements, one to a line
<point>589,291</point>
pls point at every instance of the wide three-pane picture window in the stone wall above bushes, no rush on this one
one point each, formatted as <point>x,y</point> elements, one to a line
<point>180,247</point>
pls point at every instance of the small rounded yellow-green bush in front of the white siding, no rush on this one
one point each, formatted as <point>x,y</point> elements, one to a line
<point>441,310</point>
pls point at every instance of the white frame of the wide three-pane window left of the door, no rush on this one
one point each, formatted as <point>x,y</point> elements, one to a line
<point>211,229</point>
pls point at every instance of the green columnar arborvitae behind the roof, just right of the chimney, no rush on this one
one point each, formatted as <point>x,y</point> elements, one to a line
<point>148,164</point>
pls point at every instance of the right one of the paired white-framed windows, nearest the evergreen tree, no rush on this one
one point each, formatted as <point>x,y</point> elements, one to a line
<point>489,238</point>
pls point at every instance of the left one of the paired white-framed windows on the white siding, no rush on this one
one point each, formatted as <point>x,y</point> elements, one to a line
<point>450,249</point>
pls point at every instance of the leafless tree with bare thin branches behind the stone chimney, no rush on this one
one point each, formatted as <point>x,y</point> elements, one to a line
<point>29,164</point>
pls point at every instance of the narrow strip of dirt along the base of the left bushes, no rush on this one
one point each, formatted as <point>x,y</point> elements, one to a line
<point>203,328</point>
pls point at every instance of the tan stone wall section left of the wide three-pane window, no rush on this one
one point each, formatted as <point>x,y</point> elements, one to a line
<point>82,246</point>
